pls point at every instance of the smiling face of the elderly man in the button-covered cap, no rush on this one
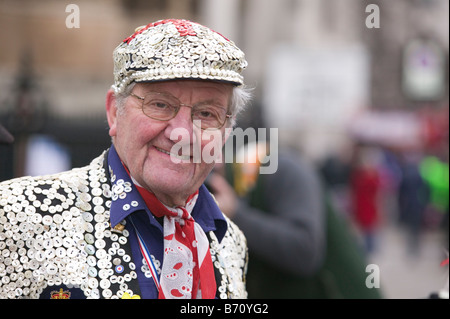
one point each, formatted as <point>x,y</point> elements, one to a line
<point>144,144</point>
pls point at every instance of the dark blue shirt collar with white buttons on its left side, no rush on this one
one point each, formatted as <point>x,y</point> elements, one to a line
<point>126,200</point>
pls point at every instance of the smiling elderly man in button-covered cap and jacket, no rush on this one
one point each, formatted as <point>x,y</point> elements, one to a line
<point>138,222</point>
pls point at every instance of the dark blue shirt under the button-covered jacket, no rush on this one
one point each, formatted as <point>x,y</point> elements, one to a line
<point>131,205</point>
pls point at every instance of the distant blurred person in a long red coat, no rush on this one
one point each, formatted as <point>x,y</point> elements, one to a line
<point>365,184</point>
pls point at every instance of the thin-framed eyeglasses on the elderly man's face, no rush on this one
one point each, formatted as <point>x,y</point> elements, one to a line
<point>164,107</point>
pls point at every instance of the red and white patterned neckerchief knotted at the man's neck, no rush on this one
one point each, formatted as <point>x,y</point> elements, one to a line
<point>187,271</point>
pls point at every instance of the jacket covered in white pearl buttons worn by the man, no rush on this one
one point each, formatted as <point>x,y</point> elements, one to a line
<point>56,241</point>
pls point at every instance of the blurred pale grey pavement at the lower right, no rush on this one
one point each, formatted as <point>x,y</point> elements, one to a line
<point>407,276</point>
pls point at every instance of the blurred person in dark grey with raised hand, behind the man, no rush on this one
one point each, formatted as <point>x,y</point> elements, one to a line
<point>284,222</point>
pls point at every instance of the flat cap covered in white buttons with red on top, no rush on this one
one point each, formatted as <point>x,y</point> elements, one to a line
<point>176,49</point>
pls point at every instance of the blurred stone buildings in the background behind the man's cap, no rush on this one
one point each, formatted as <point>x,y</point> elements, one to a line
<point>314,64</point>
